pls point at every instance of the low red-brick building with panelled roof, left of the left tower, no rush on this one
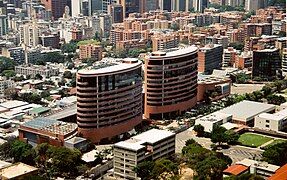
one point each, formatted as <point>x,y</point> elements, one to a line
<point>43,130</point>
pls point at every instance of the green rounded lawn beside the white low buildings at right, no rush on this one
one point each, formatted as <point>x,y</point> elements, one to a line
<point>253,140</point>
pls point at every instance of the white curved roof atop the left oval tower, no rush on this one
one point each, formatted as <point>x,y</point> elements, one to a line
<point>110,65</point>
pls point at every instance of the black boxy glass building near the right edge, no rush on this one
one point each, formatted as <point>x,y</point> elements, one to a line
<point>266,64</point>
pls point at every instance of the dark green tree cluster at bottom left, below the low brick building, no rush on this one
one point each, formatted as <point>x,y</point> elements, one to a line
<point>51,161</point>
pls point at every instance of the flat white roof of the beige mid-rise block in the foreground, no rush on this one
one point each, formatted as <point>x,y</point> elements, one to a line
<point>138,142</point>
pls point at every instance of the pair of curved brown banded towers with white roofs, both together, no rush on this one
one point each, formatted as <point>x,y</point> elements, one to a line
<point>110,98</point>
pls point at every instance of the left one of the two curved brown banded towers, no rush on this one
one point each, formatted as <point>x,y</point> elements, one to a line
<point>109,98</point>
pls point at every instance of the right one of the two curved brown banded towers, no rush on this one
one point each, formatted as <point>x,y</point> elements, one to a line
<point>170,82</point>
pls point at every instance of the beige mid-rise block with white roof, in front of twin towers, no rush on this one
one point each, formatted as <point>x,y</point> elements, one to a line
<point>150,145</point>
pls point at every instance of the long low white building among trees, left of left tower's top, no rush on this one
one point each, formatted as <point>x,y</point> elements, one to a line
<point>32,70</point>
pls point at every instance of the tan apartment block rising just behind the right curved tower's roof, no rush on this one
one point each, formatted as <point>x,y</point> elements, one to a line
<point>164,41</point>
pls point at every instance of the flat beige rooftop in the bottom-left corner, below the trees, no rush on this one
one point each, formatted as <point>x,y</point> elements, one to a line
<point>16,170</point>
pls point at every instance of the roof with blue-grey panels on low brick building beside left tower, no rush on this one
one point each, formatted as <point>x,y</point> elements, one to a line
<point>50,125</point>
